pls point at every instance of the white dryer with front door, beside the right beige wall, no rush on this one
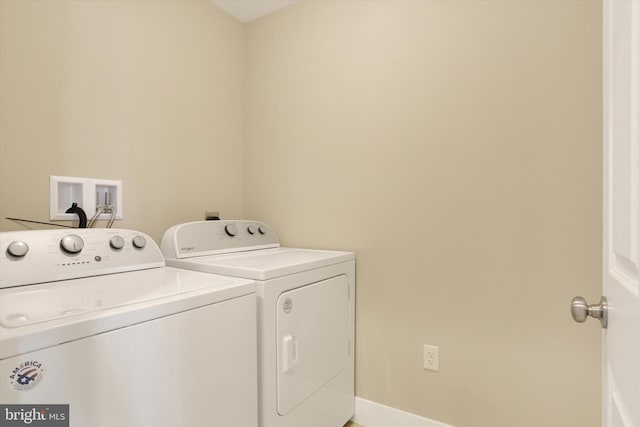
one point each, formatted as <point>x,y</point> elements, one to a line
<point>305,316</point>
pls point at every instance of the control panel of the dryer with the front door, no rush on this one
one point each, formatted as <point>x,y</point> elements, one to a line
<point>216,237</point>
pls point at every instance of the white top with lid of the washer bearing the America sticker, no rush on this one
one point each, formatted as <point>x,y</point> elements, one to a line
<point>38,316</point>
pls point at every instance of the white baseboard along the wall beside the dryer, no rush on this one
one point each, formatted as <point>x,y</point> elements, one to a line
<point>372,414</point>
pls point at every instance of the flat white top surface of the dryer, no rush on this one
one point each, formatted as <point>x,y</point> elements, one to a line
<point>264,264</point>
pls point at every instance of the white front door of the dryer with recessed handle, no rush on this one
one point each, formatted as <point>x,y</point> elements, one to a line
<point>313,339</point>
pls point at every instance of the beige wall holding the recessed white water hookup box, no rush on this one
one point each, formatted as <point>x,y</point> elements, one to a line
<point>147,92</point>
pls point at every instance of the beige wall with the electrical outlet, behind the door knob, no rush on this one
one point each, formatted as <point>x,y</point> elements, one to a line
<point>455,146</point>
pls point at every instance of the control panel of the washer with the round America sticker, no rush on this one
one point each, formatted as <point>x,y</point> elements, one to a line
<point>40,256</point>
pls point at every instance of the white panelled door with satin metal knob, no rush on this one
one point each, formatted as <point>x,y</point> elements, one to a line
<point>621,266</point>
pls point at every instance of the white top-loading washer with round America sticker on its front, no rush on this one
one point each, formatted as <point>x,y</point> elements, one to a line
<point>92,318</point>
